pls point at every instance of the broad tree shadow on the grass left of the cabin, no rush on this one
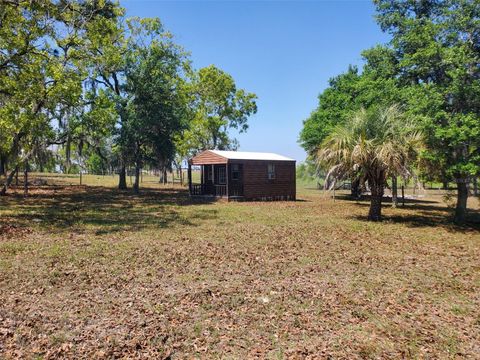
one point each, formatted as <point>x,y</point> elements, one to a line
<point>56,208</point>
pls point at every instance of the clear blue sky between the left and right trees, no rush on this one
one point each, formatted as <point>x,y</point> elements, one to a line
<point>285,52</point>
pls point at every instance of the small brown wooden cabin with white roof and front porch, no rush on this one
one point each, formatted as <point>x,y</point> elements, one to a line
<point>238,175</point>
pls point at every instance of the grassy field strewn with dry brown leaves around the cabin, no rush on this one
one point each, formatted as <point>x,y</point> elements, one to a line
<point>92,272</point>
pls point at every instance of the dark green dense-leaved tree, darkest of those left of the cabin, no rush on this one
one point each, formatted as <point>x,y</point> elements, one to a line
<point>157,109</point>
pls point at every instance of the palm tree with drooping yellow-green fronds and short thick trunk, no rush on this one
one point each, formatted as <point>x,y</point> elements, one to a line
<point>372,145</point>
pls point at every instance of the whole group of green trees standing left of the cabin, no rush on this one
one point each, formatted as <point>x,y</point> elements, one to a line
<point>82,86</point>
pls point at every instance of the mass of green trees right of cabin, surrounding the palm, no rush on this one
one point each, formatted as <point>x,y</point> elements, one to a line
<point>429,71</point>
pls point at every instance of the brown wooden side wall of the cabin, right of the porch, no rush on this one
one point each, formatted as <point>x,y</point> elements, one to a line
<point>258,186</point>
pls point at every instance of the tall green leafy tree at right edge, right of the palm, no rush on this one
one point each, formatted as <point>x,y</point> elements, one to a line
<point>437,44</point>
